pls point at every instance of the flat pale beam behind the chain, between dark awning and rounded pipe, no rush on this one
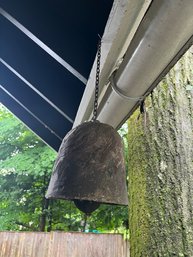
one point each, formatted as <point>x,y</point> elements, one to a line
<point>122,24</point>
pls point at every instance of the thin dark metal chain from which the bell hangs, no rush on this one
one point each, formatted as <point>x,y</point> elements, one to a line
<point>95,110</point>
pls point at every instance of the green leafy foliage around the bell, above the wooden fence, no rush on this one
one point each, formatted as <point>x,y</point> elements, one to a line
<point>25,169</point>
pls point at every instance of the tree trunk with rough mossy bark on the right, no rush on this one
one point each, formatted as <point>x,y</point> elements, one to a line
<point>160,160</point>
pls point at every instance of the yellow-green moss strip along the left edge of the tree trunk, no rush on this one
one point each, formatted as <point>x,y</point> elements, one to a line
<point>138,210</point>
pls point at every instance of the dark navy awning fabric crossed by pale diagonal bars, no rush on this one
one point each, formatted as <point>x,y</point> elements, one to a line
<point>47,49</point>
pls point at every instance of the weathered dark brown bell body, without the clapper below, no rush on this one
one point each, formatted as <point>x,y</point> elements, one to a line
<point>90,166</point>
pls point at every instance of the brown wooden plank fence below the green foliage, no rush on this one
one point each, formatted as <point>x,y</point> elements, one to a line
<point>61,244</point>
